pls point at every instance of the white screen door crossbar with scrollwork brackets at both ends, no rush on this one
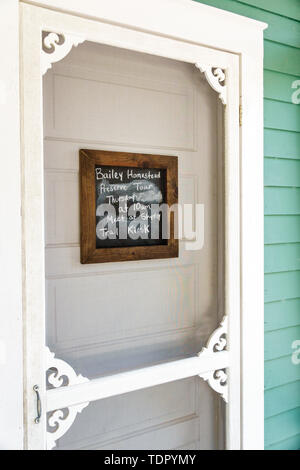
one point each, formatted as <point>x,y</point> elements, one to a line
<point>71,393</point>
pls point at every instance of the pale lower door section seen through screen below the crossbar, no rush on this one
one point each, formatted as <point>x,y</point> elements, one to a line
<point>165,417</point>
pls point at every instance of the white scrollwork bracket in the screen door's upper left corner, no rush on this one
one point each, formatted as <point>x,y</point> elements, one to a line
<point>55,47</point>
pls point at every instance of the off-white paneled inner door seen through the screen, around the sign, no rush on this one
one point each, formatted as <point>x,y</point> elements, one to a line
<point>107,318</point>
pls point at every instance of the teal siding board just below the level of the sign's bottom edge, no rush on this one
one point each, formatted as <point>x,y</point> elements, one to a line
<point>282,286</point>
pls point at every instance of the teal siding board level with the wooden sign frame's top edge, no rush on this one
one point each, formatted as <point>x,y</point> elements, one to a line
<point>282,144</point>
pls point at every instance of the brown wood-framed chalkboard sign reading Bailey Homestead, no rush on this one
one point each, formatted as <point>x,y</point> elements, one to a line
<point>123,201</point>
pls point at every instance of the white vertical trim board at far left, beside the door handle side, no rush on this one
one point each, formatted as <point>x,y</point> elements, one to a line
<point>11,318</point>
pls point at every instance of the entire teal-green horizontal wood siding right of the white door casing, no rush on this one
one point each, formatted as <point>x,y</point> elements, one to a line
<point>282,213</point>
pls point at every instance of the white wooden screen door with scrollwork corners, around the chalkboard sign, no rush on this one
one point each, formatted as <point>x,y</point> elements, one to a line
<point>133,327</point>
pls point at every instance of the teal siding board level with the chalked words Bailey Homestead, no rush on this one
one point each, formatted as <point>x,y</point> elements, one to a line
<point>282,172</point>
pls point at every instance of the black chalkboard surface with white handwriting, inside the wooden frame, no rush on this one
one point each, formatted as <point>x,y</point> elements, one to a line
<point>134,194</point>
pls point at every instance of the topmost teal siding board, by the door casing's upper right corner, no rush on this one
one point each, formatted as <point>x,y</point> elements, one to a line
<point>280,29</point>
